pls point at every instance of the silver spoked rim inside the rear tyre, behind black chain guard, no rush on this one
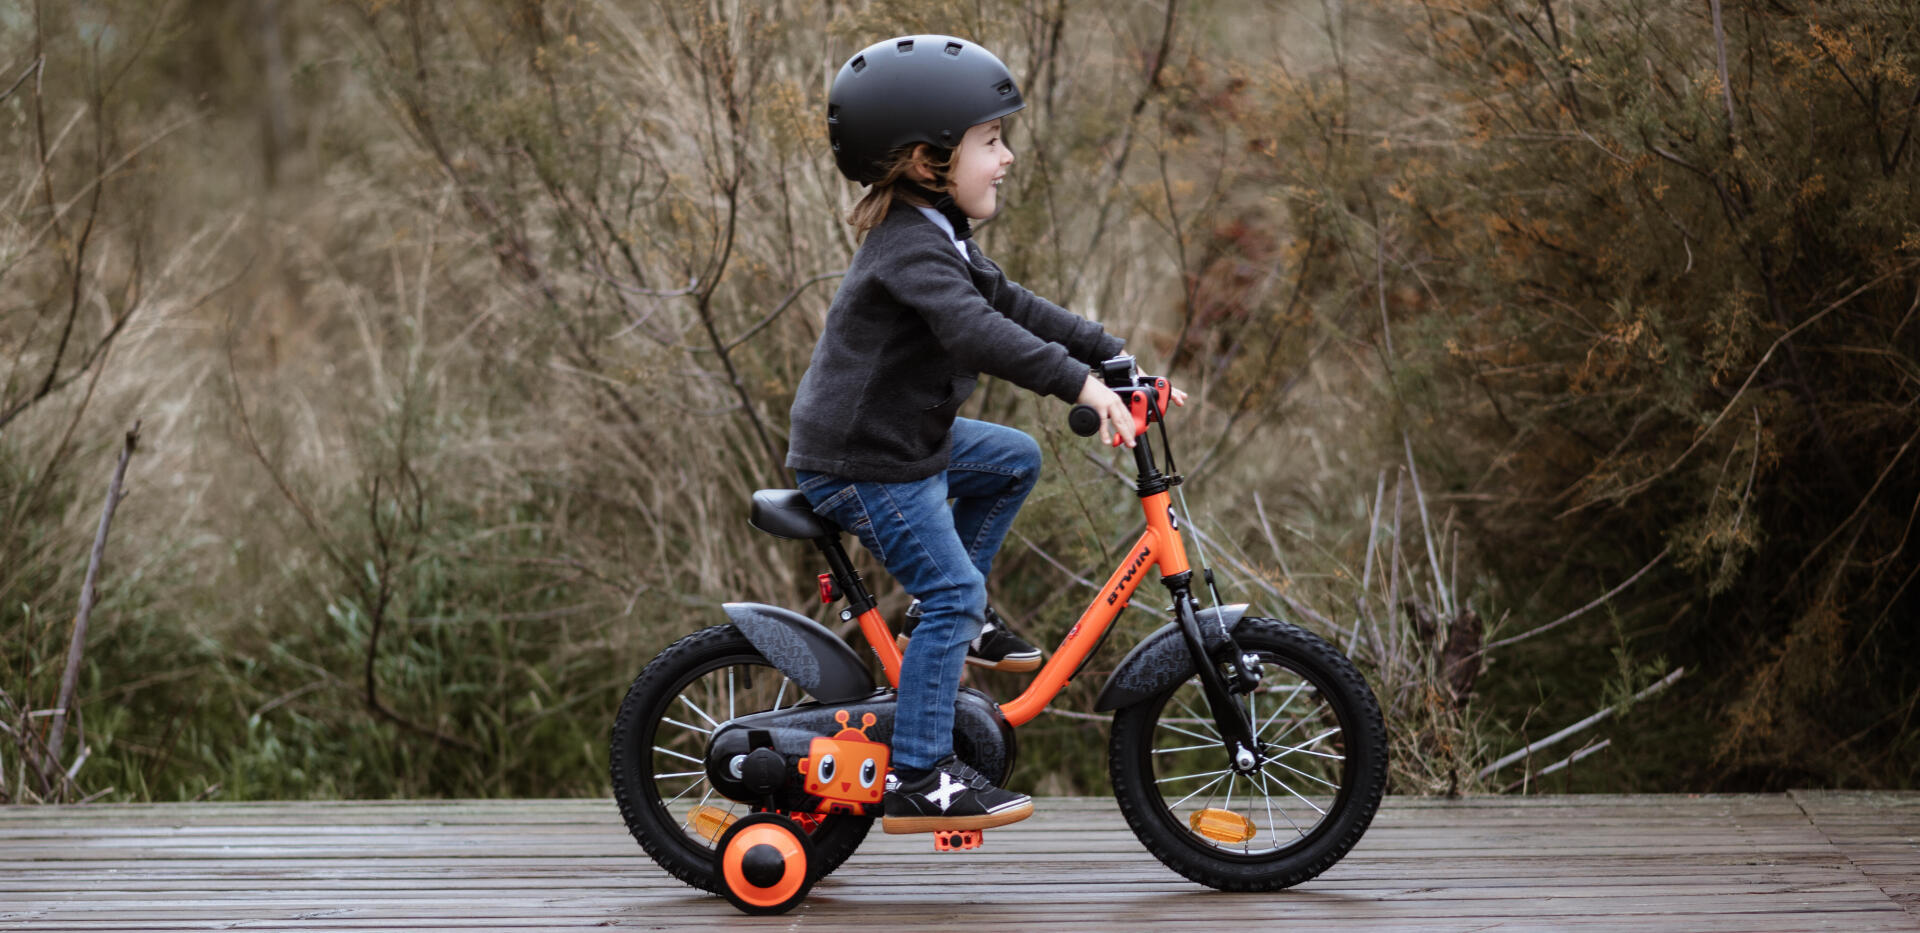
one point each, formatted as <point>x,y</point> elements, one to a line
<point>677,757</point>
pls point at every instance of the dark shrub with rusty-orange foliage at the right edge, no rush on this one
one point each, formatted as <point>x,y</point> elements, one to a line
<point>1669,264</point>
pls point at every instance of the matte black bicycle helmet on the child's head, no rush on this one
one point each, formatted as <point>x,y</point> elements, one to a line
<point>913,89</point>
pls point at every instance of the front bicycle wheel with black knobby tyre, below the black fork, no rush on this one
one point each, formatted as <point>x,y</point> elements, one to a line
<point>1318,784</point>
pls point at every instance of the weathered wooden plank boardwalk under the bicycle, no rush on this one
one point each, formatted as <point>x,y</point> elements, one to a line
<point>1754,863</point>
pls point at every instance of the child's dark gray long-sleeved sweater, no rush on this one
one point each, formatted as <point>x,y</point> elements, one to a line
<point>907,337</point>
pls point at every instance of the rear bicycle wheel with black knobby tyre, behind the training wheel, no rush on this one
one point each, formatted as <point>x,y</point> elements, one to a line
<point>660,754</point>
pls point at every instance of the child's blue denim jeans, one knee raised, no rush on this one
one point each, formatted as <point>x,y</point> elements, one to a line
<point>942,556</point>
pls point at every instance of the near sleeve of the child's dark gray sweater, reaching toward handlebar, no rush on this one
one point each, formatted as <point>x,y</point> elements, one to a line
<point>932,279</point>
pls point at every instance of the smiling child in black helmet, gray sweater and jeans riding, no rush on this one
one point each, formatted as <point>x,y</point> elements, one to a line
<point>876,443</point>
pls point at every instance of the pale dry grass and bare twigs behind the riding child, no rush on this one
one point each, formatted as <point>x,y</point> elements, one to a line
<point>452,427</point>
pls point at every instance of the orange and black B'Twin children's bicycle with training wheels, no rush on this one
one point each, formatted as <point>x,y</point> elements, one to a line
<point>1247,754</point>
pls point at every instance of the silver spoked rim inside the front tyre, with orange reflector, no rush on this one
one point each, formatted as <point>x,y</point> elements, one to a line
<point>1299,777</point>
